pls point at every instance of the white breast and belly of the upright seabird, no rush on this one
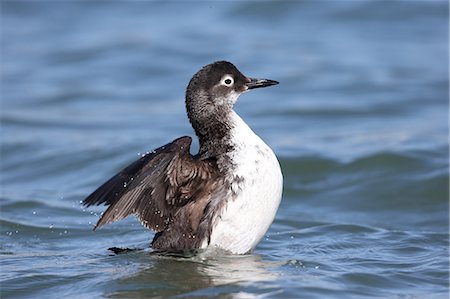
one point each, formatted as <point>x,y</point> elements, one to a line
<point>245,219</point>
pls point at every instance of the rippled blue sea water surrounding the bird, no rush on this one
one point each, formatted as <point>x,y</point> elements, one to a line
<point>359,123</point>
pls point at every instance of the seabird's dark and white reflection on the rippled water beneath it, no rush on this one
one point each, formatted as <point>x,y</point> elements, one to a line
<point>191,275</point>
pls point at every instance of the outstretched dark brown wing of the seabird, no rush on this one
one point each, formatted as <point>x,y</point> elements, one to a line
<point>154,187</point>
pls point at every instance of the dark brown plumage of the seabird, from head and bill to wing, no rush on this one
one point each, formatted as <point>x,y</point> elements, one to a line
<point>169,190</point>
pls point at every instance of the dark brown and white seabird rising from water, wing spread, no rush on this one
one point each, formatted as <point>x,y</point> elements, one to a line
<point>224,197</point>
